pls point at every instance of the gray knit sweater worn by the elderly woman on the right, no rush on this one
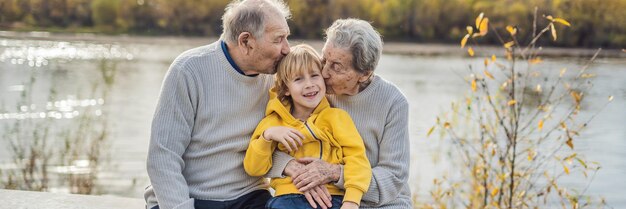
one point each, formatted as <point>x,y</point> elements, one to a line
<point>380,113</point>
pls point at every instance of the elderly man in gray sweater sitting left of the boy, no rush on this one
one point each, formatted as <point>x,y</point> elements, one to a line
<point>211,100</point>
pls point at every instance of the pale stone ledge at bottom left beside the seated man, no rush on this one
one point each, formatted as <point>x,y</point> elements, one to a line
<point>15,199</point>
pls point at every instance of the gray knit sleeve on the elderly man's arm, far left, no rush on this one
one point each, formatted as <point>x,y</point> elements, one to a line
<point>171,131</point>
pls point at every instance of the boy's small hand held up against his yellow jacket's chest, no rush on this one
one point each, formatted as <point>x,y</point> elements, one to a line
<point>289,137</point>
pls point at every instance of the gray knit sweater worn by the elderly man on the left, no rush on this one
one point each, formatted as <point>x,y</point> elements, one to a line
<point>204,119</point>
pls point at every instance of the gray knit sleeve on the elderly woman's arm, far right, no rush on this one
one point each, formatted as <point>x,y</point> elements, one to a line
<point>392,171</point>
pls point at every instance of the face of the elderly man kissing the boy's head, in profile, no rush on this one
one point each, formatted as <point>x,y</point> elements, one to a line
<point>272,47</point>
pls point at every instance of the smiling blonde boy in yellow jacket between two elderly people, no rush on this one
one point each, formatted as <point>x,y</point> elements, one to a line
<point>300,121</point>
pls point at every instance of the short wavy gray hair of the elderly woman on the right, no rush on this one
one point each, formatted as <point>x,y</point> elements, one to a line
<point>360,38</point>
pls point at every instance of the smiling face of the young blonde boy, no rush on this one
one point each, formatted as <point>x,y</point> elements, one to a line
<point>306,90</point>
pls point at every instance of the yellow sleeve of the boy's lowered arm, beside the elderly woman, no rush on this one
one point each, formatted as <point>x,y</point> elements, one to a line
<point>356,170</point>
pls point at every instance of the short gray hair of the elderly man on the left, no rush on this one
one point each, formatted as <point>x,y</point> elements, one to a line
<point>250,16</point>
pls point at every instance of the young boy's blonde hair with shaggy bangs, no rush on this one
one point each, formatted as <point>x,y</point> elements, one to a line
<point>302,57</point>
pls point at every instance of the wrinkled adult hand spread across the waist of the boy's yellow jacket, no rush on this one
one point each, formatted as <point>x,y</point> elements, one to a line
<point>315,173</point>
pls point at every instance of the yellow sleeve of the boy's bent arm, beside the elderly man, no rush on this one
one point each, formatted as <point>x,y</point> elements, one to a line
<point>258,160</point>
